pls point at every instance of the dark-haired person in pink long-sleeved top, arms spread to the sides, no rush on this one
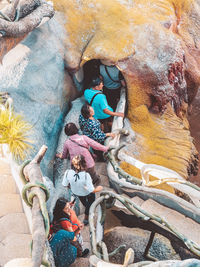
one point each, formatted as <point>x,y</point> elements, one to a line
<point>79,145</point>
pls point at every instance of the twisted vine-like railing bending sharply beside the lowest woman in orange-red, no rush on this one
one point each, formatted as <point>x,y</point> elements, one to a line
<point>108,199</point>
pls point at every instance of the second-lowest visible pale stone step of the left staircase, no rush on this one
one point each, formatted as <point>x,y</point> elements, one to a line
<point>13,223</point>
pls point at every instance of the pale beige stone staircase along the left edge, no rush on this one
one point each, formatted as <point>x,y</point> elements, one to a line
<point>15,237</point>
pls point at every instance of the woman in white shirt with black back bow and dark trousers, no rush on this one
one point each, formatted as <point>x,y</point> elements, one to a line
<point>80,183</point>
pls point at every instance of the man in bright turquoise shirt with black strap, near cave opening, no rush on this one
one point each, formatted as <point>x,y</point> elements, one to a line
<point>102,111</point>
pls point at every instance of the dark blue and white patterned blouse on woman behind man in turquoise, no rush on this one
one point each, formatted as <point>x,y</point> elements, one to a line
<point>92,129</point>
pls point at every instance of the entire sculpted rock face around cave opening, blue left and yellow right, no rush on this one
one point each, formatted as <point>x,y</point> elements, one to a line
<point>156,46</point>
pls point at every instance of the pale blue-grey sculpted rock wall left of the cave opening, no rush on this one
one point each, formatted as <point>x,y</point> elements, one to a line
<point>34,75</point>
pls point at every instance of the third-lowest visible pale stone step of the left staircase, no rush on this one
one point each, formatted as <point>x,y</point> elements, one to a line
<point>10,203</point>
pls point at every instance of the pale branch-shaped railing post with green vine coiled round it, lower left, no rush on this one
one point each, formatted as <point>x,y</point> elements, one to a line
<point>35,194</point>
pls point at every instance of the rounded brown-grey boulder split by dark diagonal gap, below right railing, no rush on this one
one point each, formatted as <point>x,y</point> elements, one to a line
<point>137,239</point>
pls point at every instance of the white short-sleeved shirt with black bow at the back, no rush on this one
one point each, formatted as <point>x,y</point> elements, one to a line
<point>81,183</point>
